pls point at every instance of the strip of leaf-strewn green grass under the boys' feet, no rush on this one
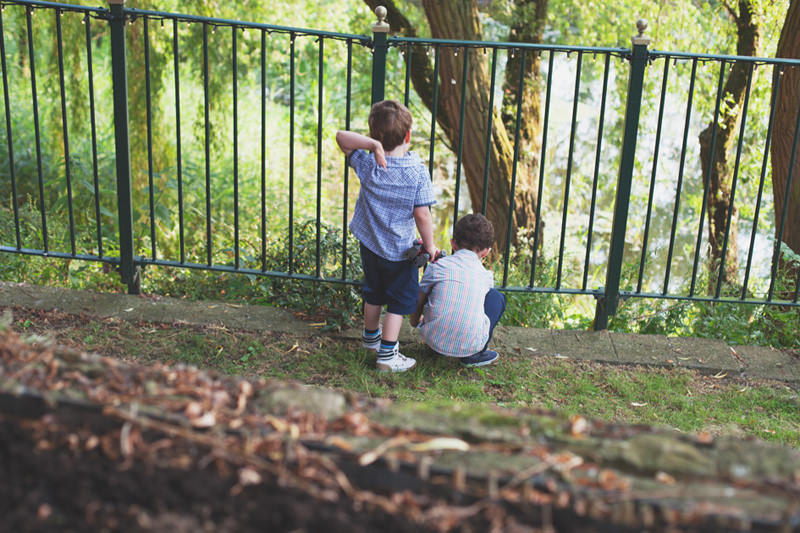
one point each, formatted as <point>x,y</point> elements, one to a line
<point>678,398</point>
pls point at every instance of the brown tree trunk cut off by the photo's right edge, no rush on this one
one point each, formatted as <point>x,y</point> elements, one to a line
<point>787,106</point>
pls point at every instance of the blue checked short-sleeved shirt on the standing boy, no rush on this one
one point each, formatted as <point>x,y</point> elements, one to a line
<point>384,215</point>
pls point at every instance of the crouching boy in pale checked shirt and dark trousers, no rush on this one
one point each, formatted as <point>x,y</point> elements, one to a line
<point>457,297</point>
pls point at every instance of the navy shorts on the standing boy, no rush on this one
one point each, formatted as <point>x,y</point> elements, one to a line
<point>391,283</point>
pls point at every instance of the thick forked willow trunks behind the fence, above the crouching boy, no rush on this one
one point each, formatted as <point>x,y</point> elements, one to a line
<point>460,19</point>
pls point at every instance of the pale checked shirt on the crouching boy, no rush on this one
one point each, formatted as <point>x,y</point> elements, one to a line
<point>455,323</point>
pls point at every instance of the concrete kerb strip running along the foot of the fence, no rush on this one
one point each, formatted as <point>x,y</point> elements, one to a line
<point>706,355</point>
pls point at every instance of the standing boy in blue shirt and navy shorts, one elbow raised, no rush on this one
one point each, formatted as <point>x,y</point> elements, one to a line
<point>395,195</point>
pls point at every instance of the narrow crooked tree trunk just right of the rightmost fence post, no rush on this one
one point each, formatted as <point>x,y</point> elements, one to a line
<point>717,173</point>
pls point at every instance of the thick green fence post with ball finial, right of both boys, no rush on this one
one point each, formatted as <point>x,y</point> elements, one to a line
<point>609,298</point>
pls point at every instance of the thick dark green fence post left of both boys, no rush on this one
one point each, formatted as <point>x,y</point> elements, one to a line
<point>127,266</point>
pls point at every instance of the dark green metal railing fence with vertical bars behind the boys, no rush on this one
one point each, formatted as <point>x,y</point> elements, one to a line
<point>207,143</point>
